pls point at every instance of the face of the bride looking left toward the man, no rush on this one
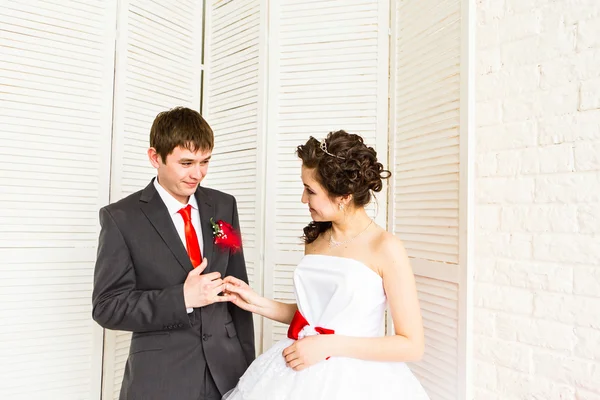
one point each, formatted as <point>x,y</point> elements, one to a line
<point>321,207</point>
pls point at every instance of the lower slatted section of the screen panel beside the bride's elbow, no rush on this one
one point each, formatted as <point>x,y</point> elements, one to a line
<point>438,369</point>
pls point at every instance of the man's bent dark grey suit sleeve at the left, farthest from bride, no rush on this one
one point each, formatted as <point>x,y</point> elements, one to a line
<point>116,302</point>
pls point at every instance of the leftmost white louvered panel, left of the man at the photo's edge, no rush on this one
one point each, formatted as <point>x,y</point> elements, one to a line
<point>56,76</point>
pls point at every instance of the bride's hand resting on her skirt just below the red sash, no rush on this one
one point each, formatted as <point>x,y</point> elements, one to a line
<point>308,351</point>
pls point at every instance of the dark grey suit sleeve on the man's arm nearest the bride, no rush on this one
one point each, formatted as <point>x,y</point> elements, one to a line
<point>241,319</point>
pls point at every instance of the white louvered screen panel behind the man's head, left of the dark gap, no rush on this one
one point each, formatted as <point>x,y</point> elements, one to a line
<point>158,68</point>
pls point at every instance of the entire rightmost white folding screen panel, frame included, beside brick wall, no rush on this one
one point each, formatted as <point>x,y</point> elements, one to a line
<point>429,197</point>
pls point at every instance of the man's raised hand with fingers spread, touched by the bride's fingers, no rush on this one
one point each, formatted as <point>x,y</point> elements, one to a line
<point>201,290</point>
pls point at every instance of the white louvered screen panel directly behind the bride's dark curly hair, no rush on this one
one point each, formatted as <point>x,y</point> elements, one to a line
<point>327,71</point>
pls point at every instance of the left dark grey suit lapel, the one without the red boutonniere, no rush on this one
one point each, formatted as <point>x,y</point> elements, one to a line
<point>158,215</point>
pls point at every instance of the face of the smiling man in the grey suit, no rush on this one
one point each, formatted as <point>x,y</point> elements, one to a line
<point>182,171</point>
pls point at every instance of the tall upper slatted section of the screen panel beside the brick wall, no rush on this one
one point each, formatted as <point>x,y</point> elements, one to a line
<point>427,121</point>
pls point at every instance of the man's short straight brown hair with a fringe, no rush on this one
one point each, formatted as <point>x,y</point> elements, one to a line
<point>180,127</point>
